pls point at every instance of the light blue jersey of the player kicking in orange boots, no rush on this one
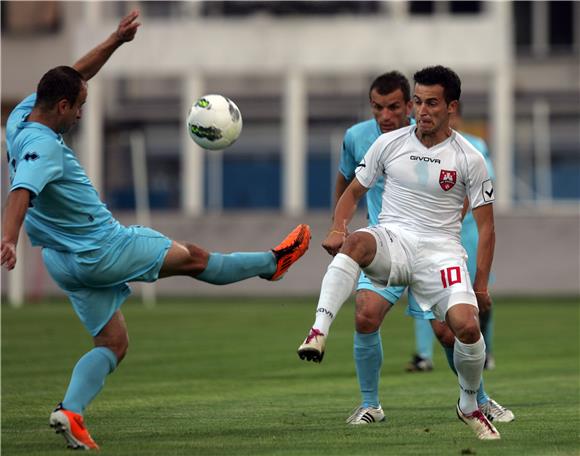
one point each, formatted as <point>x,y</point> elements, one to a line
<point>66,213</point>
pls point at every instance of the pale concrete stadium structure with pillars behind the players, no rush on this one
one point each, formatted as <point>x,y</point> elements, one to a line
<point>538,247</point>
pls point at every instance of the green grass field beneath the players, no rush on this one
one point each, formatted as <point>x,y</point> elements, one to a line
<point>221,377</point>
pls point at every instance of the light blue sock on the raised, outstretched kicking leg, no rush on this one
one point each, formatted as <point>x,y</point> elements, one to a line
<point>233,267</point>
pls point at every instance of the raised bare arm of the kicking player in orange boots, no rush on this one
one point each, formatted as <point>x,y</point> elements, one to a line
<point>91,63</point>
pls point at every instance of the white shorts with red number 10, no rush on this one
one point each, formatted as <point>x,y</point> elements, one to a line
<point>435,269</point>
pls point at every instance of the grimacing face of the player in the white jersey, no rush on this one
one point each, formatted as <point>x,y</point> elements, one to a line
<point>431,110</point>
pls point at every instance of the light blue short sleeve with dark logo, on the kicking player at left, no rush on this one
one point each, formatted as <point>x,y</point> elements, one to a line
<point>39,163</point>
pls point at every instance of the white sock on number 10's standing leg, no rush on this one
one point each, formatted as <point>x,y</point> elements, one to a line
<point>469,360</point>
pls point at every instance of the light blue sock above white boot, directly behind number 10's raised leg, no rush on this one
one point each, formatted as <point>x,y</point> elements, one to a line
<point>368,359</point>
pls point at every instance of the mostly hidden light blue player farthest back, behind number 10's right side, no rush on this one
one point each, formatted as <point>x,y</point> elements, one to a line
<point>424,337</point>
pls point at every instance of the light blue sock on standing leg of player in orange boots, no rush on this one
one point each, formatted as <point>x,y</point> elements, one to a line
<point>88,378</point>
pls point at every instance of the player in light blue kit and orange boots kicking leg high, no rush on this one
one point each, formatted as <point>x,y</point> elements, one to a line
<point>87,252</point>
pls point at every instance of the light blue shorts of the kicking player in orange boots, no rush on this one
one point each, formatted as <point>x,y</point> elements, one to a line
<point>96,281</point>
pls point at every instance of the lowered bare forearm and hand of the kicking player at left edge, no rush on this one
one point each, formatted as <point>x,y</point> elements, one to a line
<point>16,206</point>
